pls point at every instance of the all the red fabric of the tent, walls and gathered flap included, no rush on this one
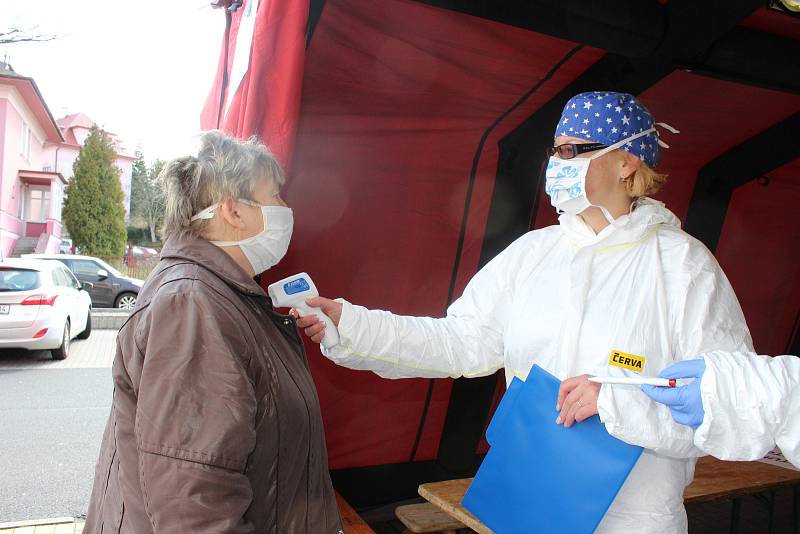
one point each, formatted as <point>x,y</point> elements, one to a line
<point>396,96</point>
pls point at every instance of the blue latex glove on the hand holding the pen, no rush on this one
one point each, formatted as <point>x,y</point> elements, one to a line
<point>684,402</point>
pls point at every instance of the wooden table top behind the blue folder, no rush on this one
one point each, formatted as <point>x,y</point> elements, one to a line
<point>713,480</point>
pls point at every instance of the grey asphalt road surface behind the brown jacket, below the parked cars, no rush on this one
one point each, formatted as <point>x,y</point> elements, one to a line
<point>52,416</point>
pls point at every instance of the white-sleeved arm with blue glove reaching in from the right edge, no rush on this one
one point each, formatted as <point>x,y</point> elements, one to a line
<point>741,404</point>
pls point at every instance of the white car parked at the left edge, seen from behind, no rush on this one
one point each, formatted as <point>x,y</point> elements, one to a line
<point>42,306</point>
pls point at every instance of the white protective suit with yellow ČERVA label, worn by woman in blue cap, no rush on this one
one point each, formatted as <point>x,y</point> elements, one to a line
<point>565,298</point>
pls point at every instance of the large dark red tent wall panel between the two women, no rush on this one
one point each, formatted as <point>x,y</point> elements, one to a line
<point>396,98</point>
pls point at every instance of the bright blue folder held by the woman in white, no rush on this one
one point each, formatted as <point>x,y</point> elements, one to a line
<point>541,477</point>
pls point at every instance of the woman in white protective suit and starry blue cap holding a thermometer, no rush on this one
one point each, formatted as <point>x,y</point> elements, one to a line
<point>616,288</point>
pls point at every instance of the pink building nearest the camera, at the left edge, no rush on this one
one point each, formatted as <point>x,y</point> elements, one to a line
<point>30,196</point>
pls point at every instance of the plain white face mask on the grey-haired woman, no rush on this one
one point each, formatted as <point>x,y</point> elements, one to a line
<point>269,246</point>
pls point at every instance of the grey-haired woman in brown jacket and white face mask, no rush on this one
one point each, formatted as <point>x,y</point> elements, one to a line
<point>215,425</point>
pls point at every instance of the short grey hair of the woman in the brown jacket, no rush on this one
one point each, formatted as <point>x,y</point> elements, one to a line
<point>224,167</point>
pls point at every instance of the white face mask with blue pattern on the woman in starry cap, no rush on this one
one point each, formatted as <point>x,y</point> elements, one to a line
<point>565,180</point>
